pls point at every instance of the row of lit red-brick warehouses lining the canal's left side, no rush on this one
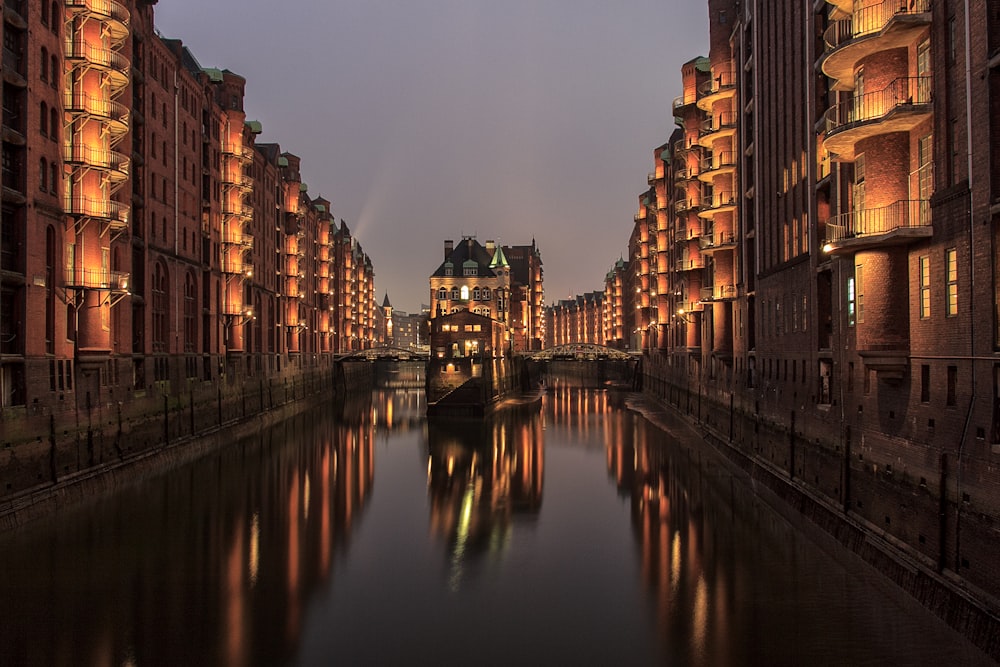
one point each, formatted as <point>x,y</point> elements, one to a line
<point>149,239</point>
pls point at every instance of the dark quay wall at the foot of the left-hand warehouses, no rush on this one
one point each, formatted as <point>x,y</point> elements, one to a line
<point>53,459</point>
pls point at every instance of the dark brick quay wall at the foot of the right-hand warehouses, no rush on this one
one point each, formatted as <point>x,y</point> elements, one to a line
<point>902,525</point>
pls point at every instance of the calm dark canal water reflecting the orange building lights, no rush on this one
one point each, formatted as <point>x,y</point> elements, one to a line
<point>576,532</point>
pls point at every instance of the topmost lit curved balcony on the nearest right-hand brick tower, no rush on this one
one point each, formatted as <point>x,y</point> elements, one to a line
<point>887,25</point>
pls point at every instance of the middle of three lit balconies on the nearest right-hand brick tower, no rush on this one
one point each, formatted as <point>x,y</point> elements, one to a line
<point>899,107</point>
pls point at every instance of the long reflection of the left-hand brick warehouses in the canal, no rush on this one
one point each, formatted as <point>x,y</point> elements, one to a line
<point>222,555</point>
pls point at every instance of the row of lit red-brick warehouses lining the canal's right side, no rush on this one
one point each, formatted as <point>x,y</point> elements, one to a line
<point>828,303</point>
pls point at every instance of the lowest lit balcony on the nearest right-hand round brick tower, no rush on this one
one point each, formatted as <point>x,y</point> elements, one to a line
<point>900,222</point>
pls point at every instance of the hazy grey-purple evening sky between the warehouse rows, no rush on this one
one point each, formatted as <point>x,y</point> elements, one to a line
<point>427,120</point>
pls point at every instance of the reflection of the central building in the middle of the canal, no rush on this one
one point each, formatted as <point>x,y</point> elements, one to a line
<point>482,474</point>
